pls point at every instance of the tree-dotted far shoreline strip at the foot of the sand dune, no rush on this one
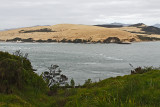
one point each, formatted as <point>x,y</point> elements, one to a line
<point>110,40</point>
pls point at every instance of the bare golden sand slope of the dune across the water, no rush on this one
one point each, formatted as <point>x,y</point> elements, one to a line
<point>69,32</point>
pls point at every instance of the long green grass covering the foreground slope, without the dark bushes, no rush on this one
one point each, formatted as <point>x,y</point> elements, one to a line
<point>127,91</point>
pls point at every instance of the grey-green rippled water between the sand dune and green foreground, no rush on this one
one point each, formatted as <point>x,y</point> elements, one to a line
<point>83,61</point>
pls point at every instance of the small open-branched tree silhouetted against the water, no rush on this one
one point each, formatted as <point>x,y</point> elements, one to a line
<point>54,76</point>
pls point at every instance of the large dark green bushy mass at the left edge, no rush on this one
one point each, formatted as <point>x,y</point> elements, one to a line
<point>16,73</point>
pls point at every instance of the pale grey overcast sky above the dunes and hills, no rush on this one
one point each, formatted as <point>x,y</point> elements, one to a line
<point>22,13</point>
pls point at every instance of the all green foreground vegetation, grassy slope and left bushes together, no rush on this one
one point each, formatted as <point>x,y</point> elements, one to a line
<point>20,86</point>
